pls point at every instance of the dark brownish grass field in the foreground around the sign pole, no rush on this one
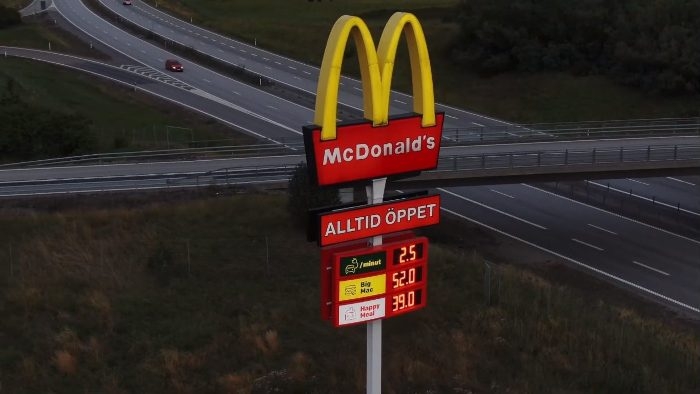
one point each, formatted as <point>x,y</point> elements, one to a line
<point>221,296</point>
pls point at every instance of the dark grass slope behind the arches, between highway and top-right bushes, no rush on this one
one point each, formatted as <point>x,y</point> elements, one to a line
<point>524,98</point>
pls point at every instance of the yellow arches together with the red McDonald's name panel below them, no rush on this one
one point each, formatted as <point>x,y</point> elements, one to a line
<point>382,145</point>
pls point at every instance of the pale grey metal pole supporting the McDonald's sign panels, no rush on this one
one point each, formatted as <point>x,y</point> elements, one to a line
<point>375,195</point>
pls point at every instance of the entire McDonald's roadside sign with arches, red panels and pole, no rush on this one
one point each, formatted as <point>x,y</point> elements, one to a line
<point>371,151</point>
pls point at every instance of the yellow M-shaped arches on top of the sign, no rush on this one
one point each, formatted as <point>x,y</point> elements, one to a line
<point>376,70</point>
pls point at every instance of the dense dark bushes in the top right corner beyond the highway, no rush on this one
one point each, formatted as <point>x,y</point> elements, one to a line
<point>643,43</point>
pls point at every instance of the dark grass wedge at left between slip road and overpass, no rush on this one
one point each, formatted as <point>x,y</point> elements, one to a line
<point>121,119</point>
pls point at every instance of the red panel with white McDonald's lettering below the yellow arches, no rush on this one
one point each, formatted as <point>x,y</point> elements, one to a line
<point>362,151</point>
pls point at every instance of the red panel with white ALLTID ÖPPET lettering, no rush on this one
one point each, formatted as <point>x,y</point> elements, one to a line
<point>372,220</point>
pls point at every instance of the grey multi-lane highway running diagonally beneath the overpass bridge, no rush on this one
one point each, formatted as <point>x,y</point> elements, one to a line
<point>644,259</point>
